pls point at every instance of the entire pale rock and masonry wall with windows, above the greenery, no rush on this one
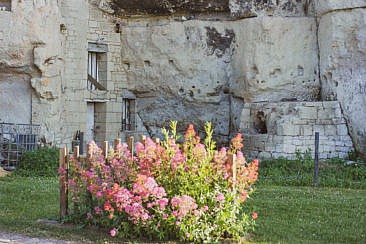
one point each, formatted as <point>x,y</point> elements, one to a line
<point>191,61</point>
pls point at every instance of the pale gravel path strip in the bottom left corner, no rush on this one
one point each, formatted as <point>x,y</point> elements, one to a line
<point>21,239</point>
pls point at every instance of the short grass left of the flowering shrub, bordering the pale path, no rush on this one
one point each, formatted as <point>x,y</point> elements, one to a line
<point>24,201</point>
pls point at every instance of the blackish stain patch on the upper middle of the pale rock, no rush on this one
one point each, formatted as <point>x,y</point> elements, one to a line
<point>218,43</point>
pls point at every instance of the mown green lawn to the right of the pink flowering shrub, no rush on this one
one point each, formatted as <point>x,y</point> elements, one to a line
<point>306,215</point>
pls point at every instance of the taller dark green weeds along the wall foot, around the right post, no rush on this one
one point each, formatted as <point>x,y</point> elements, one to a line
<point>300,172</point>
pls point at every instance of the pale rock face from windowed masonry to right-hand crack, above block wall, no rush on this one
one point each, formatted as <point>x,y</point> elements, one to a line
<point>194,66</point>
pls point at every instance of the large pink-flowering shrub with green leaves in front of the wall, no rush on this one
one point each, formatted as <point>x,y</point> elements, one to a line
<point>169,191</point>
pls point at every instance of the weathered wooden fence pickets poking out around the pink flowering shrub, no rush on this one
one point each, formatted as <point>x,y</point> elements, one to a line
<point>65,158</point>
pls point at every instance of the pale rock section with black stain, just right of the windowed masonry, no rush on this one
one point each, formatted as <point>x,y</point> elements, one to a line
<point>183,69</point>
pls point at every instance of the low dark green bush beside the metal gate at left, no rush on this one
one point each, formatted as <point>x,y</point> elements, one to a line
<point>40,162</point>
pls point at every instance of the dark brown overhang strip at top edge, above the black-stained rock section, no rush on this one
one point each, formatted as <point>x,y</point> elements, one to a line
<point>167,7</point>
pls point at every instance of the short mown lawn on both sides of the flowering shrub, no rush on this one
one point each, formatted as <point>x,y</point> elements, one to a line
<point>287,214</point>
